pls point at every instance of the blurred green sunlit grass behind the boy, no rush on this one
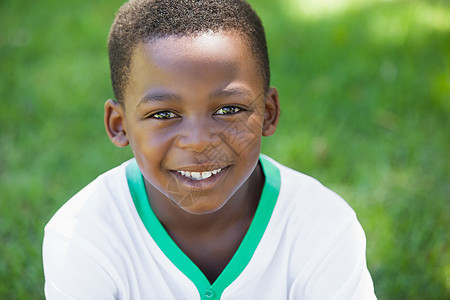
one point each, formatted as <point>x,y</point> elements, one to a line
<point>365,92</point>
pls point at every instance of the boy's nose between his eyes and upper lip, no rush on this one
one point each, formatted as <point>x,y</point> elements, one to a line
<point>198,135</point>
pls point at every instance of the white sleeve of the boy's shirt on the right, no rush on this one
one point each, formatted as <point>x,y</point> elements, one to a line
<point>340,272</point>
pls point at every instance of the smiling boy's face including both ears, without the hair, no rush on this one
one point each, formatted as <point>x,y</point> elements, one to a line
<point>194,113</point>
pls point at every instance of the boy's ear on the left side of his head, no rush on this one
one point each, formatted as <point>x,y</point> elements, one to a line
<point>115,123</point>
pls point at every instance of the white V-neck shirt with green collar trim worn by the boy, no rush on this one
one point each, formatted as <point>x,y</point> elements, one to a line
<point>304,242</point>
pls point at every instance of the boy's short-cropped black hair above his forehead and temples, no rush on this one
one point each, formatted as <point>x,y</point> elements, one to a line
<point>139,21</point>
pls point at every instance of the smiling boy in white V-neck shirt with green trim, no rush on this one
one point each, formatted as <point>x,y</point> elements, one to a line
<point>199,213</point>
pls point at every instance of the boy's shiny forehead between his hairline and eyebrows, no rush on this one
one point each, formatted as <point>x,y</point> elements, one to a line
<point>201,60</point>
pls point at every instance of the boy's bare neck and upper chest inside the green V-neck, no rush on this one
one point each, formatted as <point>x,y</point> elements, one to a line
<point>213,239</point>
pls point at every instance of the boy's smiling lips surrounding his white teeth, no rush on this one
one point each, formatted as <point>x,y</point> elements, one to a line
<point>199,185</point>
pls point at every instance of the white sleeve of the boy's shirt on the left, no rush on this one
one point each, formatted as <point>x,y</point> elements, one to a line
<point>75,270</point>
